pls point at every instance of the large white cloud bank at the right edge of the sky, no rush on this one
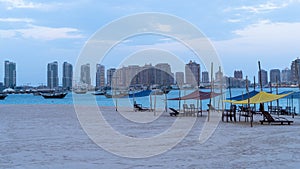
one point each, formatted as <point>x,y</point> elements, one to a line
<point>262,37</point>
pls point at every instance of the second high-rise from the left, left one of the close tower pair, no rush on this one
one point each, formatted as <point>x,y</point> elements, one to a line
<point>52,75</point>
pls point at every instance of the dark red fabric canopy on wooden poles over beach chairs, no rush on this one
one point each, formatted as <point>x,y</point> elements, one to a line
<point>198,95</point>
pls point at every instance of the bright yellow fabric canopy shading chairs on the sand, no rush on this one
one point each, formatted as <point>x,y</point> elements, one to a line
<point>262,97</point>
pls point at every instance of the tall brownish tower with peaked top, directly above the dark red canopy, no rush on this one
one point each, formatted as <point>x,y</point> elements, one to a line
<point>192,73</point>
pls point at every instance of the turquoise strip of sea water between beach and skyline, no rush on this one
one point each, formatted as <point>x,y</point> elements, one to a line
<point>158,101</point>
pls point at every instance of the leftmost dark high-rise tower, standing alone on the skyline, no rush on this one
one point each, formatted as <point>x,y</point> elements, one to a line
<point>9,74</point>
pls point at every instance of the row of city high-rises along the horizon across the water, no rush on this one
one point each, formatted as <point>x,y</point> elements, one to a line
<point>127,75</point>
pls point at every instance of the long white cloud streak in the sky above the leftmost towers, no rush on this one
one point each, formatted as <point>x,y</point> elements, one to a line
<point>42,33</point>
